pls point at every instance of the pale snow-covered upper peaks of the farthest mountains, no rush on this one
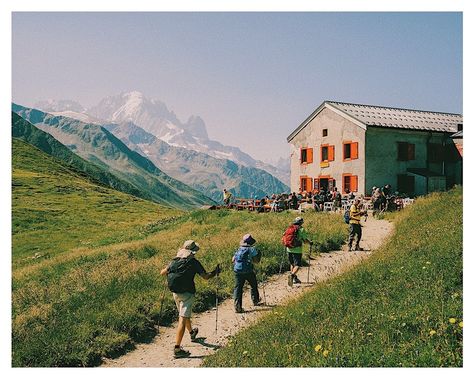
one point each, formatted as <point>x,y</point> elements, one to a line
<point>154,117</point>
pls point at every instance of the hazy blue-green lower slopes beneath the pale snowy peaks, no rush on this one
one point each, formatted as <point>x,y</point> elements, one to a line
<point>201,171</point>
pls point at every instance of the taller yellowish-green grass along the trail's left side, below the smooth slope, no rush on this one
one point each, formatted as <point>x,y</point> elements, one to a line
<point>74,308</point>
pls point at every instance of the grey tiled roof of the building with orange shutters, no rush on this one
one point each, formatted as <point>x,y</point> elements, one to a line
<point>398,118</point>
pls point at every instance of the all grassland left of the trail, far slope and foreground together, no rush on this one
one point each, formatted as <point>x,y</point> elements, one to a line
<point>86,261</point>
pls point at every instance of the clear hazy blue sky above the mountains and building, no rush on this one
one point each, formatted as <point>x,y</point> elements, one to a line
<point>252,77</point>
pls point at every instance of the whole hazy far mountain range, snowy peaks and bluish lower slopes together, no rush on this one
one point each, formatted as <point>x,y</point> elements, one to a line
<point>182,150</point>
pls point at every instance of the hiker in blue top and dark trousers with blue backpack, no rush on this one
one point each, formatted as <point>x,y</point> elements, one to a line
<point>243,261</point>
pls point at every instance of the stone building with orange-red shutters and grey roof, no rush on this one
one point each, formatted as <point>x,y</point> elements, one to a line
<point>354,147</point>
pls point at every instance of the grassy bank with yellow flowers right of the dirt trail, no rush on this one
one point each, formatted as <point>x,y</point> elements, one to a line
<point>403,307</point>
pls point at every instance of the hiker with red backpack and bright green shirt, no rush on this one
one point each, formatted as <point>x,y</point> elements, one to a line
<point>293,239</point>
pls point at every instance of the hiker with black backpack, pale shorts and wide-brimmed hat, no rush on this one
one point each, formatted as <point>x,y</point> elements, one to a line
<point>180,274</point>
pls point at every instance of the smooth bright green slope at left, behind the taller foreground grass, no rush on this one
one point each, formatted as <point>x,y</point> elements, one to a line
<point>57,208</point>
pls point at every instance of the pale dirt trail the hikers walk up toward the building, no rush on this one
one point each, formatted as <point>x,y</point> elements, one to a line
<point>159,353</point>
